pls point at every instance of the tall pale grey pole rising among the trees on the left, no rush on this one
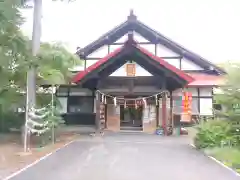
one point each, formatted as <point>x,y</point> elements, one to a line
<point>31,74</point>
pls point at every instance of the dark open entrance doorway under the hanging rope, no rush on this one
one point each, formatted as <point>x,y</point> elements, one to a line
<point>131,118</point>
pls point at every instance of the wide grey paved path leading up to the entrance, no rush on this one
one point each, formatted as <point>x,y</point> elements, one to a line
<point>127,157</point>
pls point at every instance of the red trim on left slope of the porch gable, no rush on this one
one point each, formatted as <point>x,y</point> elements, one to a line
<point>94,66</point>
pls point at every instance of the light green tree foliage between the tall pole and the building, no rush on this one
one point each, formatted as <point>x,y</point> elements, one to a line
<point>54,64</point>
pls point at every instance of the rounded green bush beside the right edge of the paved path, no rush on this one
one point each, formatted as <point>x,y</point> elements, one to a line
<point>212,134</point>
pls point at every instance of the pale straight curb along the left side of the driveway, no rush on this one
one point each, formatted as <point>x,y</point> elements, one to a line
<point>37,161</point>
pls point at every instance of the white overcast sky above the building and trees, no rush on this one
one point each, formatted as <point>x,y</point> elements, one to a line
<point>211,28</point>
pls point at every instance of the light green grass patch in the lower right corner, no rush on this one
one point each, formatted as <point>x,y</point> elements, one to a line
<point>229,156</point>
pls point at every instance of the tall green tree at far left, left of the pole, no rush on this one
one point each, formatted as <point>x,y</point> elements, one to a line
<point>14,52</point>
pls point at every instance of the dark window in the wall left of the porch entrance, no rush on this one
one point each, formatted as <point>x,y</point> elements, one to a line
<point>80,104</point>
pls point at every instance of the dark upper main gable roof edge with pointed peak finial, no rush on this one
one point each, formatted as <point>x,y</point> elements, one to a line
<point>132,24</point>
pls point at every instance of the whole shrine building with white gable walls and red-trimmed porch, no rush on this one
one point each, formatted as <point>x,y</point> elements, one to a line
<point>138,80</point>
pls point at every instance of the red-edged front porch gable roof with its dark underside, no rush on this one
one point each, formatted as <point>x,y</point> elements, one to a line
<point>131,51</point>
